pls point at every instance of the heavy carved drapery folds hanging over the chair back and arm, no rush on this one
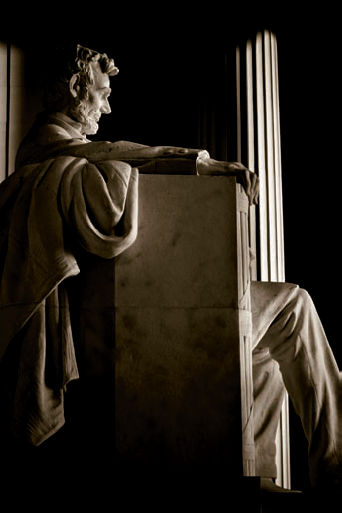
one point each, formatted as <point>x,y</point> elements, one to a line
<point>44,207</point>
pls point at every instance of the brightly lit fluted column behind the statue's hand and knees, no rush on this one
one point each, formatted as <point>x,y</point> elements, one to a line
<point>258,144</point>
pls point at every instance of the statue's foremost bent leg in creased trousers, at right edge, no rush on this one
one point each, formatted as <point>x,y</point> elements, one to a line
<point>296,340</point>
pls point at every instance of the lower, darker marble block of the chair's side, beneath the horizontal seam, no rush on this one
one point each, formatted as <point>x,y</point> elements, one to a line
<point>177,402</point>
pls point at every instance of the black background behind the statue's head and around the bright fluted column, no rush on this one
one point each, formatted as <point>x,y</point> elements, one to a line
<point>166,56</point>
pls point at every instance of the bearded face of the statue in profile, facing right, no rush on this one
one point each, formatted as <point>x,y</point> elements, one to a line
<point>97,102</point>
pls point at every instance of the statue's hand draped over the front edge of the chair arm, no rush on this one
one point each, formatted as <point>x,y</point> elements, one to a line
<point>248,179</point>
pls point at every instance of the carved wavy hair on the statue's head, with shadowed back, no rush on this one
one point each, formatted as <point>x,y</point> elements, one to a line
<point>66,63</point>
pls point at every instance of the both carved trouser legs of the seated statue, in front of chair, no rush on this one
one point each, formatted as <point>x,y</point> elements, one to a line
<point>291,330</point>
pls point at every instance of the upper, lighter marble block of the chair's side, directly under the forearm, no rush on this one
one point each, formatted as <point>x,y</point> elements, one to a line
<point>185,255</point>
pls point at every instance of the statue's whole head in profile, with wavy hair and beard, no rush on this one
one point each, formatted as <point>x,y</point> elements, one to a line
<point>78,85</point>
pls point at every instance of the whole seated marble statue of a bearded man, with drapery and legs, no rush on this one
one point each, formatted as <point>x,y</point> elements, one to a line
<point>290,347</point>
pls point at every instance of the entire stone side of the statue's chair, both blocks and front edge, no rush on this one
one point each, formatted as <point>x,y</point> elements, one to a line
<point>183,386</point>
